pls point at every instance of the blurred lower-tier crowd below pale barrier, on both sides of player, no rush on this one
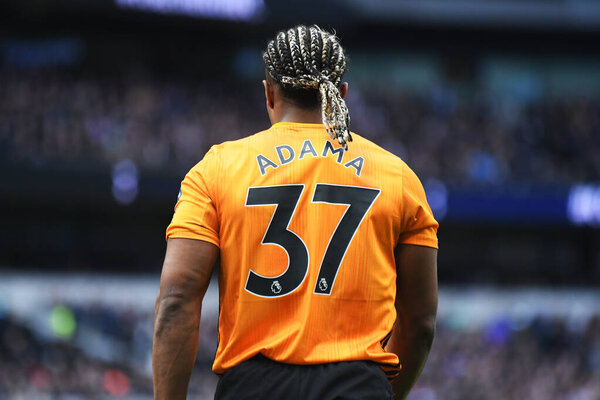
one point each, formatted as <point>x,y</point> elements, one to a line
<point>545,358</point>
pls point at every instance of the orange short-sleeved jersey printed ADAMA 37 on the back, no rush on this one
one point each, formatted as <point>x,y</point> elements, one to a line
<point>306,232</point>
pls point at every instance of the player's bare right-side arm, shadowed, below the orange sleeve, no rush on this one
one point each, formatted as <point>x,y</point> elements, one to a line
<point>416,307</point>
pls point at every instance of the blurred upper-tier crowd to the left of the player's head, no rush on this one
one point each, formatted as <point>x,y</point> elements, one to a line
<point>52,117</point>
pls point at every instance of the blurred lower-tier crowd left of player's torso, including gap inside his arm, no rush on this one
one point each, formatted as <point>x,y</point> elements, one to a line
<point>95,352</point>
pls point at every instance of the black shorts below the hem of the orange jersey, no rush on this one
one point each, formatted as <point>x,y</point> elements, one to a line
<point>263,379</point>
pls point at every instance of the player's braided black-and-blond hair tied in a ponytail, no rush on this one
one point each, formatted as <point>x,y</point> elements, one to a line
<point>308,63</point>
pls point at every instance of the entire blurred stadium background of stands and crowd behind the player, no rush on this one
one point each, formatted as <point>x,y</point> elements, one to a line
<point>105,105</point>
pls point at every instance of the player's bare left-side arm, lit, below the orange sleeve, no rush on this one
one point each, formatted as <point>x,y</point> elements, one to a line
<point>185,276</point>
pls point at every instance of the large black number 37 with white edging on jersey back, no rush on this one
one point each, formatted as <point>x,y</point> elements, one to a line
<point>285,197</point>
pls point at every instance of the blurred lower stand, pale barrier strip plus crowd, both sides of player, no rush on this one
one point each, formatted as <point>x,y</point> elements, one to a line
<point>90,337</point>
